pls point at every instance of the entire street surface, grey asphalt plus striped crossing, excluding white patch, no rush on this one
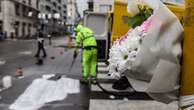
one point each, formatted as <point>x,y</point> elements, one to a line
<point>15,54</point>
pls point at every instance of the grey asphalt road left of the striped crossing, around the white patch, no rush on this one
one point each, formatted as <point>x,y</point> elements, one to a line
<point>15,54</point>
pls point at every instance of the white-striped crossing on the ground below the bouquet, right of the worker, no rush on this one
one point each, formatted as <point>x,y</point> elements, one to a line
<point>140,101</point>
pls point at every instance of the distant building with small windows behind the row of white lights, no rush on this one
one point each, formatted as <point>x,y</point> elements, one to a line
<point>53,15</point>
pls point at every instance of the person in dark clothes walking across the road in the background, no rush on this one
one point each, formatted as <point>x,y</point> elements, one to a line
<point>40,42</point>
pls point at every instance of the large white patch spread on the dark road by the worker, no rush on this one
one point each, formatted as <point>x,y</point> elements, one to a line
<point>43,91</point>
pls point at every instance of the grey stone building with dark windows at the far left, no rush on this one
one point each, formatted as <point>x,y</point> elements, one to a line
<point>18,18</point>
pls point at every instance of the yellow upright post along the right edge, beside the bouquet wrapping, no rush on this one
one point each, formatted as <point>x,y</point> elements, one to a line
<point>187,85</point>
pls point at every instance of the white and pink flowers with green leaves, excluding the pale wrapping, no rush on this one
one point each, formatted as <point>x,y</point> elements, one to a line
<point>124,50</point>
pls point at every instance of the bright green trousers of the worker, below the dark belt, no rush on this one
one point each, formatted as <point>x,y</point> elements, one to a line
<point>89,62</point>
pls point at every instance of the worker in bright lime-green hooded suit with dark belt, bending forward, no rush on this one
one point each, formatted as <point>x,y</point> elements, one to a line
<point>85,37</point>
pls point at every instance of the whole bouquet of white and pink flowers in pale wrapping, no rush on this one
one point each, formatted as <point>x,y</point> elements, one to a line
<point>149,53</point>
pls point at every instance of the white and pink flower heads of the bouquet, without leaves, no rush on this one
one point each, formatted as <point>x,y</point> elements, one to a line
<point>124,50</point>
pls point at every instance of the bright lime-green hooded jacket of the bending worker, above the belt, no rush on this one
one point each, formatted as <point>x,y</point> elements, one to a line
<point>85,36</point>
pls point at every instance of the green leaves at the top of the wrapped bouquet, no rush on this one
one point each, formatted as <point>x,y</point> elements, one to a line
<point>144,14</point>
